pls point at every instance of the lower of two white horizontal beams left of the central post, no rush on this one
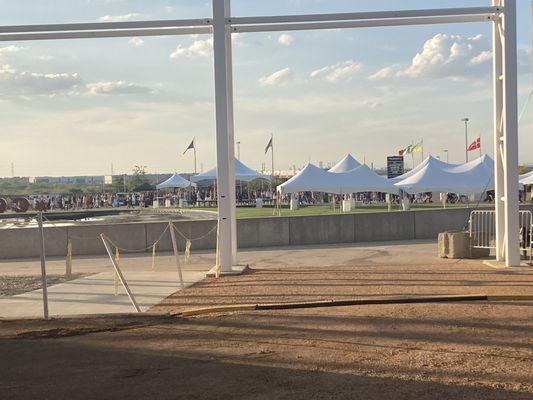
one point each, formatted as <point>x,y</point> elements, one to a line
<point>14,37</point>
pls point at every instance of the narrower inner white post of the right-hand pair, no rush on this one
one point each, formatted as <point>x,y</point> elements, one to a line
<point>498,133</point>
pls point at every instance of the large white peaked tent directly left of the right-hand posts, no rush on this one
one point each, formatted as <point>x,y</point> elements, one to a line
<point>474,177</point>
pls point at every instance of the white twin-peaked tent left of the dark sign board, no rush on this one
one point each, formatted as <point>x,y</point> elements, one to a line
<point>314,179</point>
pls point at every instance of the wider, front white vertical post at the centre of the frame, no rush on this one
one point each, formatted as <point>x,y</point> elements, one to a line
<point>225,174</point>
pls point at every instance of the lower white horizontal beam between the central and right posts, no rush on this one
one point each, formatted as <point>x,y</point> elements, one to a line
<point>362,23</point>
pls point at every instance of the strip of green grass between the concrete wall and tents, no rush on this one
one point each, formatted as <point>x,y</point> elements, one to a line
<point>250,212</point>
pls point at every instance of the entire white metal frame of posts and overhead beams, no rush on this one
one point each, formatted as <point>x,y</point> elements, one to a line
<point>502,14</point>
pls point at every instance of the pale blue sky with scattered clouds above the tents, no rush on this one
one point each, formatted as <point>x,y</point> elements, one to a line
<point>76,107</point>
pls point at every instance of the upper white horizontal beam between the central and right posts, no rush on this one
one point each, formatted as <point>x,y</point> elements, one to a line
<point>364,15</point>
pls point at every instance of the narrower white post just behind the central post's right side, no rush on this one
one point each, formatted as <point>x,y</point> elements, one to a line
<point>231,135</point>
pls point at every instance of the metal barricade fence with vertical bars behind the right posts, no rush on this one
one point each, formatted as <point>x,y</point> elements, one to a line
<point>483,229</point>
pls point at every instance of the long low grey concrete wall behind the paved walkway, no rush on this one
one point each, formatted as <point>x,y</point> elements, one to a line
<point>253,232</point>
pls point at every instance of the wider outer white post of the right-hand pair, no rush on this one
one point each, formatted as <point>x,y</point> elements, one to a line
<point>510,136</point>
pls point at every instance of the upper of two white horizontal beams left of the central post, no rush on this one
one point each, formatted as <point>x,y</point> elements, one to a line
<point>93,26</point>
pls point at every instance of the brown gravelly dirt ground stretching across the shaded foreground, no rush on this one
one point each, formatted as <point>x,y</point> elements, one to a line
<point>420,351</point>
